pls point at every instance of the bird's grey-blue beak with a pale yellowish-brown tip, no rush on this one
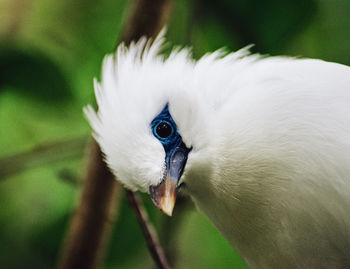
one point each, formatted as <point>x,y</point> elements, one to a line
<point>164,194</point>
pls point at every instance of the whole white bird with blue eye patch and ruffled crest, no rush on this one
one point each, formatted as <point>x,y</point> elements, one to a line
<point>261,144</point>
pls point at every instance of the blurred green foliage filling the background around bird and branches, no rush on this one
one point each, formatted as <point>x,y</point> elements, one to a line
<point>49,53</point>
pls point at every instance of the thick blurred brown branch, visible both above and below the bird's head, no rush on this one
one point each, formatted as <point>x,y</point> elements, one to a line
<point>86,240</point>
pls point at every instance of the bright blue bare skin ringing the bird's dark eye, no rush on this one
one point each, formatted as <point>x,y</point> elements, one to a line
<point>174,139</point>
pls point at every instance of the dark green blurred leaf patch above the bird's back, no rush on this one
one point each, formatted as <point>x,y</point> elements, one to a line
<point>268,24</point>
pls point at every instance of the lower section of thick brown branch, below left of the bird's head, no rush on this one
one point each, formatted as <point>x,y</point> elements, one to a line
<point>92,222</point>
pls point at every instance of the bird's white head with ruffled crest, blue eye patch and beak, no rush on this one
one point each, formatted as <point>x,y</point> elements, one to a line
<point>148,123</point>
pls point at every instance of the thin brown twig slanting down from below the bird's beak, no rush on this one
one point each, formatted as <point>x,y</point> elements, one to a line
<point>148,231</point>
